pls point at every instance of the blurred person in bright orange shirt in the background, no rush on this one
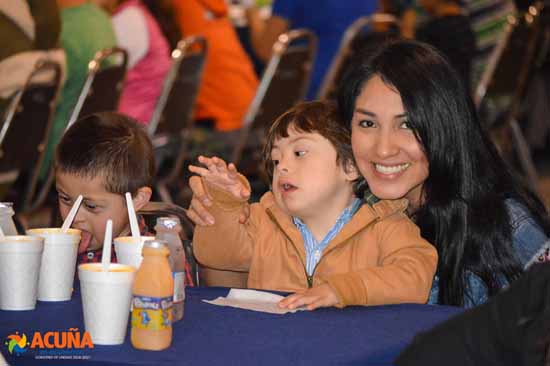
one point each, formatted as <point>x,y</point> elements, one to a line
<point>229,81</point>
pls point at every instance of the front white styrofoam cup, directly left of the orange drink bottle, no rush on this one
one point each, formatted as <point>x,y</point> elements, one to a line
<point>106,298</point>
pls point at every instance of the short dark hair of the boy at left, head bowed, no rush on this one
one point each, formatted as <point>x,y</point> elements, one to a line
<point>110,145</point>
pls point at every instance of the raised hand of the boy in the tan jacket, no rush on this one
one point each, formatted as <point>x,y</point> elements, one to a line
<point>221,175</point>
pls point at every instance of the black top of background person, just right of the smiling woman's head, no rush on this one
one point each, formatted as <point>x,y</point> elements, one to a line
<point>454,37</point>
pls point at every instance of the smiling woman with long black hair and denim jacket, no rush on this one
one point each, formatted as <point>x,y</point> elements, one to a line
<point>415,134</point>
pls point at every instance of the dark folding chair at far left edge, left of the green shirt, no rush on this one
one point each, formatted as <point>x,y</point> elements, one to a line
<point>25,130</point>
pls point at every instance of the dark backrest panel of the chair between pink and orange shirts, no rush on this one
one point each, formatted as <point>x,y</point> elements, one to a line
<point>174,109</point>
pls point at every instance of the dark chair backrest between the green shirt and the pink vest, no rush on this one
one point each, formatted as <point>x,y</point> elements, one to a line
<point>103,85</point>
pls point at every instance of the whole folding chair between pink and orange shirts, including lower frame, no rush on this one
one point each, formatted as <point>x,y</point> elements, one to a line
<point>172,121</point>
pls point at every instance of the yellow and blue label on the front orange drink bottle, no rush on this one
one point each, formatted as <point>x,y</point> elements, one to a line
<point>153,313</point>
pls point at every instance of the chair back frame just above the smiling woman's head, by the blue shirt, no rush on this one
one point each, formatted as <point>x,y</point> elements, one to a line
<point>359,33</point>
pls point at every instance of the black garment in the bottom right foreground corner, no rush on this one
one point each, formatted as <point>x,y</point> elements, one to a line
<point>513,328</point>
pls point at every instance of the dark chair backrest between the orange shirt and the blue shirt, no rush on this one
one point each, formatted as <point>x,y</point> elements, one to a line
<point>284,83</point>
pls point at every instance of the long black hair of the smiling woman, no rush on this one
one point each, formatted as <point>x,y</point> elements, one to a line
<point>464,212</point>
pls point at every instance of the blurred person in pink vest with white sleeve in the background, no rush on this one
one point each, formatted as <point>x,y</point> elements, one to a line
<point>138,32</point>
